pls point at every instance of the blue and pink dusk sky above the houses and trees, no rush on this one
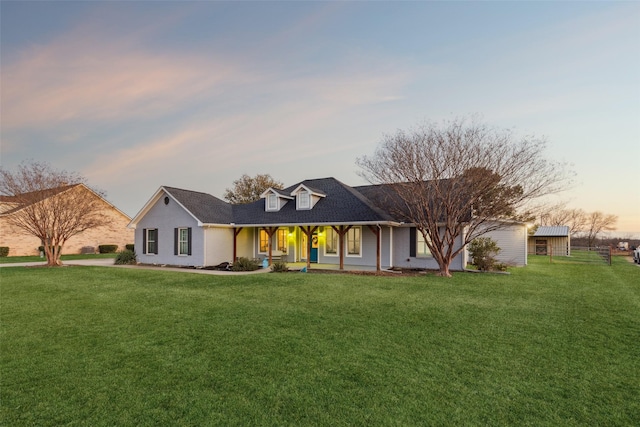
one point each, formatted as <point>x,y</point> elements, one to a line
<point>137,95</point>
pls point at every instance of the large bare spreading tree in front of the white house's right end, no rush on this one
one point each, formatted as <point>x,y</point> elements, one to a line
<point>453,181</point>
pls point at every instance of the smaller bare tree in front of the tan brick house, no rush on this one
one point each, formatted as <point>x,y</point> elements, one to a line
<point>51,205</point>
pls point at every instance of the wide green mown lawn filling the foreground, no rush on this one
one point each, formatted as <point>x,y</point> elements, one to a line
<point>551,344</point>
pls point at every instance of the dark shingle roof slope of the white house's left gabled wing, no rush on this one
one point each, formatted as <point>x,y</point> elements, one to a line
<point>205,207</point>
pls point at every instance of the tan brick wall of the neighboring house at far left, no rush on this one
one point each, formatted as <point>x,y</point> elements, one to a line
<point>115,233</point>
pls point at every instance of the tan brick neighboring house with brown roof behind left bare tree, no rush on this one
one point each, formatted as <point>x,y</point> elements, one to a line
<point>21,243</point>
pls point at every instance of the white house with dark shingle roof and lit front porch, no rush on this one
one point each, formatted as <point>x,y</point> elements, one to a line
<point>315,221</point>
